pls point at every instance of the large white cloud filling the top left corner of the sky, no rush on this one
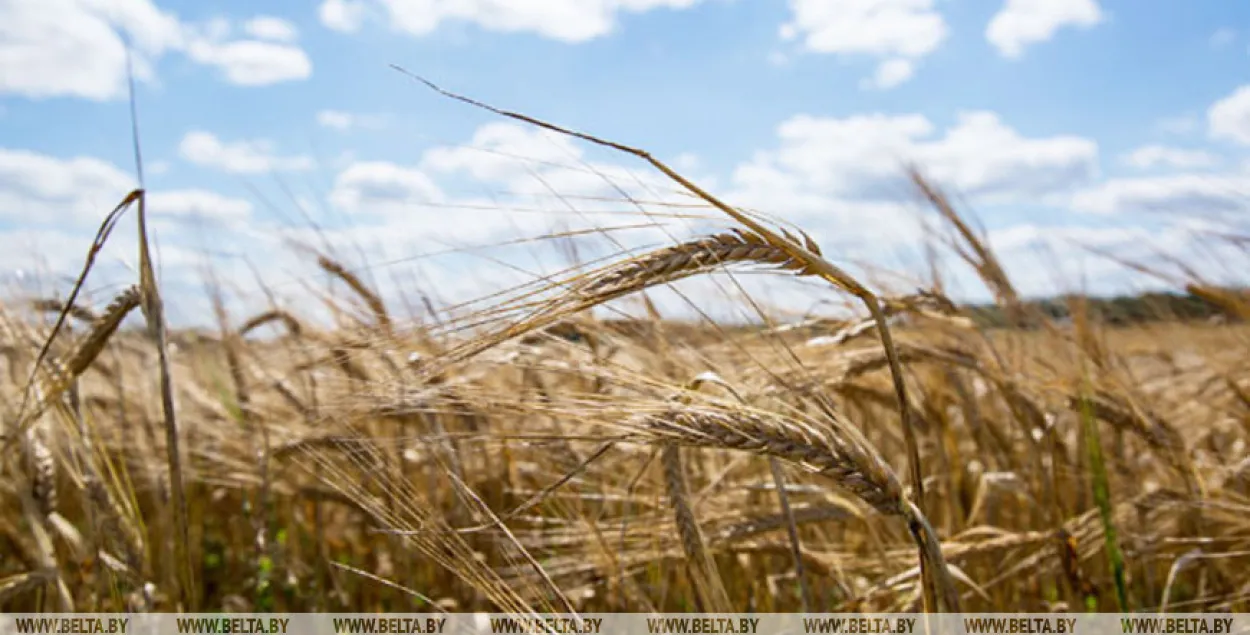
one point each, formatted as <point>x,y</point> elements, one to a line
<point>76,48</point>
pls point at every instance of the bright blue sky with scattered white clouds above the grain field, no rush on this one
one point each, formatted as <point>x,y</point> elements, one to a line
<point>1122,126</point>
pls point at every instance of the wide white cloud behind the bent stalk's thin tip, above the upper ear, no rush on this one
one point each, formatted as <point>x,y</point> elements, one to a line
<point>531,183</point>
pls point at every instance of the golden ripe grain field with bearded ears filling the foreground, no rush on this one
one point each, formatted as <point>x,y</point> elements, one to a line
<point>531,457</point>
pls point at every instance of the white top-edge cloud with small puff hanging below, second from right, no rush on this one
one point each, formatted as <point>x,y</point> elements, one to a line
<point>898,31</point>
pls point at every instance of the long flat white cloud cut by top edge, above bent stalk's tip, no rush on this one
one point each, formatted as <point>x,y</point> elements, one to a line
<point>566,21</point>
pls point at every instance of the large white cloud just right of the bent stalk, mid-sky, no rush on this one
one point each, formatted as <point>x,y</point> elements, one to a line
<point>843,179</point>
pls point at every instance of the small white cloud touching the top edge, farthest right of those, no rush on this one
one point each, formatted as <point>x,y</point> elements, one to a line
<point>1024,23</point>
